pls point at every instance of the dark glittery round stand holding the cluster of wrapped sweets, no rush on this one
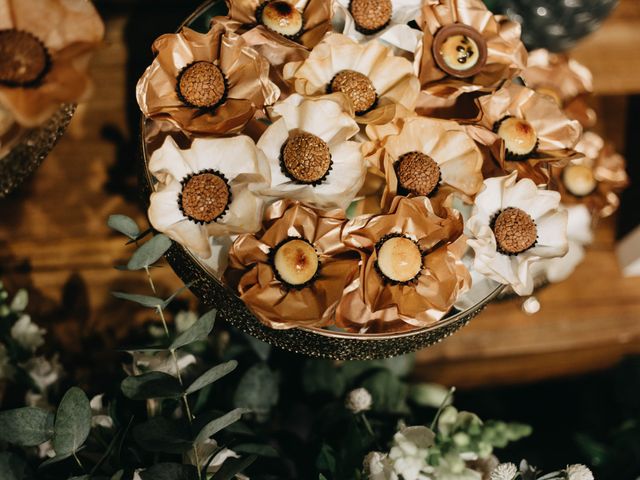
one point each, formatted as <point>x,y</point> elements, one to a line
<point>317,342</point>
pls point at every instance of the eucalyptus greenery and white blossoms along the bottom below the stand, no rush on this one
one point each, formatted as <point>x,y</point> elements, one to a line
<point>285,418</point>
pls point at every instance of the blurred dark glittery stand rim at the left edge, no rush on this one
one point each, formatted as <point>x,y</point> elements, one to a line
<point>31,149</point>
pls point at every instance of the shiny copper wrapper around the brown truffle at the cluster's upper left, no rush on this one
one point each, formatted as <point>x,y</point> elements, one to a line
<point>247,73</point>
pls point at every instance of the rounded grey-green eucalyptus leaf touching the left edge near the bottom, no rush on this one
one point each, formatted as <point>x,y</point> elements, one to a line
<point>27,427</point>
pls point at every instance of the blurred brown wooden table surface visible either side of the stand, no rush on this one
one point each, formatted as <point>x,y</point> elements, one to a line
<point>54,241</point>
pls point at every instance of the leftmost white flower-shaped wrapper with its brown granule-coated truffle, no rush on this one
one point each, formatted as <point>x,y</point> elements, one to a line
<point>207,190</point>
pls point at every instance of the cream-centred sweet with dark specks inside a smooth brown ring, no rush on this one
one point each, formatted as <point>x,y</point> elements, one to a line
<point>459,50</point>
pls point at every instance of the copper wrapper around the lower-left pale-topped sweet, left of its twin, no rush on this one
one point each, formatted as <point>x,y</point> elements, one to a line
<point>314,305</point>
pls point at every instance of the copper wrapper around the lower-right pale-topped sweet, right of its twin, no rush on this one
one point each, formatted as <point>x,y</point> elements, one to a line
<point>370,305</point>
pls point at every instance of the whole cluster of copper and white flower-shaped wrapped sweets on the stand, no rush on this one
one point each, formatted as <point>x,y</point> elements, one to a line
<point>360,165</point>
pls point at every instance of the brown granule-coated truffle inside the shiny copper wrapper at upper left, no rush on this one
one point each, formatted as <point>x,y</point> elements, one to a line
<point>202,85</point>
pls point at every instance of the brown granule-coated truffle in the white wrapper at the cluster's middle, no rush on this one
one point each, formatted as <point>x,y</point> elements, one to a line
<point>305,158</point>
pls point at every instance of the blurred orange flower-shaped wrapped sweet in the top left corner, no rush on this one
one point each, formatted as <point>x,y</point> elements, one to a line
<point>43,61</point>
